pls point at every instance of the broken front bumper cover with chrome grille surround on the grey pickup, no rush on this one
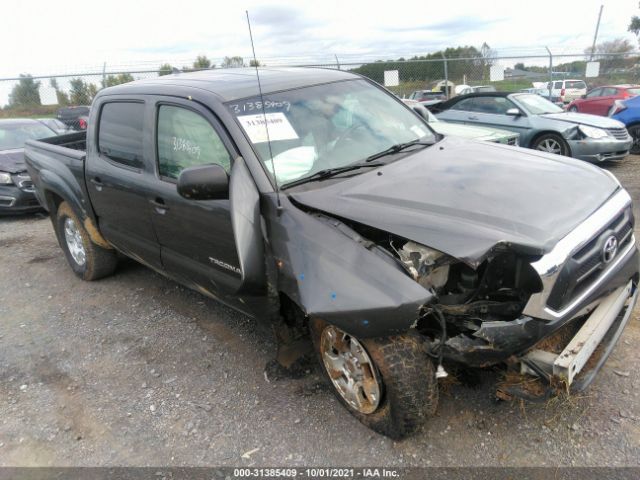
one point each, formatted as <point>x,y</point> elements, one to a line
<point>496,341</point>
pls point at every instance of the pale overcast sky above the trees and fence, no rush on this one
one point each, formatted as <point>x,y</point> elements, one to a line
<point>43,37</point>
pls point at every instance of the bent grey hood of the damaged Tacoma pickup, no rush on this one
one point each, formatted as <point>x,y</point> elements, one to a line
<point>464,197</point>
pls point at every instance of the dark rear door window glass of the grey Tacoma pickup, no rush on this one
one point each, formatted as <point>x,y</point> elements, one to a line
<point>120,133</point>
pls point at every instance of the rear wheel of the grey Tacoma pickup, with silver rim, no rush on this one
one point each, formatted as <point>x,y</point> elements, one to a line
<point>87,260</point>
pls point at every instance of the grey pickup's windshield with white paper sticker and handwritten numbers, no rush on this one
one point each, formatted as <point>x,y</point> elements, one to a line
<point>326,126</point>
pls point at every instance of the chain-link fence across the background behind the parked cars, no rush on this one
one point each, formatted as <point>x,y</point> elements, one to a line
<point>43,95</point>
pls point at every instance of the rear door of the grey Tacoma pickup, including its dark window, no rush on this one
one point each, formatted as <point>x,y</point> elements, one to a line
<point>120,172</point>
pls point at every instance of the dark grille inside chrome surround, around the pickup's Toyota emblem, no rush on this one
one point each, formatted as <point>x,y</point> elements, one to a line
<point>586,264</point>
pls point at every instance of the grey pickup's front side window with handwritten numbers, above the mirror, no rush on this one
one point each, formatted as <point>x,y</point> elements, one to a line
<point>186,139</point>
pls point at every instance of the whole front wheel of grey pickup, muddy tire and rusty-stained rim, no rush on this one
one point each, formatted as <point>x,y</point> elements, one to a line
<point>388,384</point>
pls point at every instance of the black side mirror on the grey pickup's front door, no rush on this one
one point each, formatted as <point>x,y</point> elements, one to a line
<point>204,182</point>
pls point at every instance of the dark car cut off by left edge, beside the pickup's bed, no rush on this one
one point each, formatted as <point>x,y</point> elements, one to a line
<point>16,189</point>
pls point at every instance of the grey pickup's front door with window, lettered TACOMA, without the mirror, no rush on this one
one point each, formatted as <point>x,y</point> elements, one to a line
<point>196,236</point>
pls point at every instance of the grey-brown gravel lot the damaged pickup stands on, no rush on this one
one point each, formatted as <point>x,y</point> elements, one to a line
<point>137,370</point>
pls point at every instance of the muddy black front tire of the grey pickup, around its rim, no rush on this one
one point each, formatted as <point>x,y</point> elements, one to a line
<point>408,389</point>
